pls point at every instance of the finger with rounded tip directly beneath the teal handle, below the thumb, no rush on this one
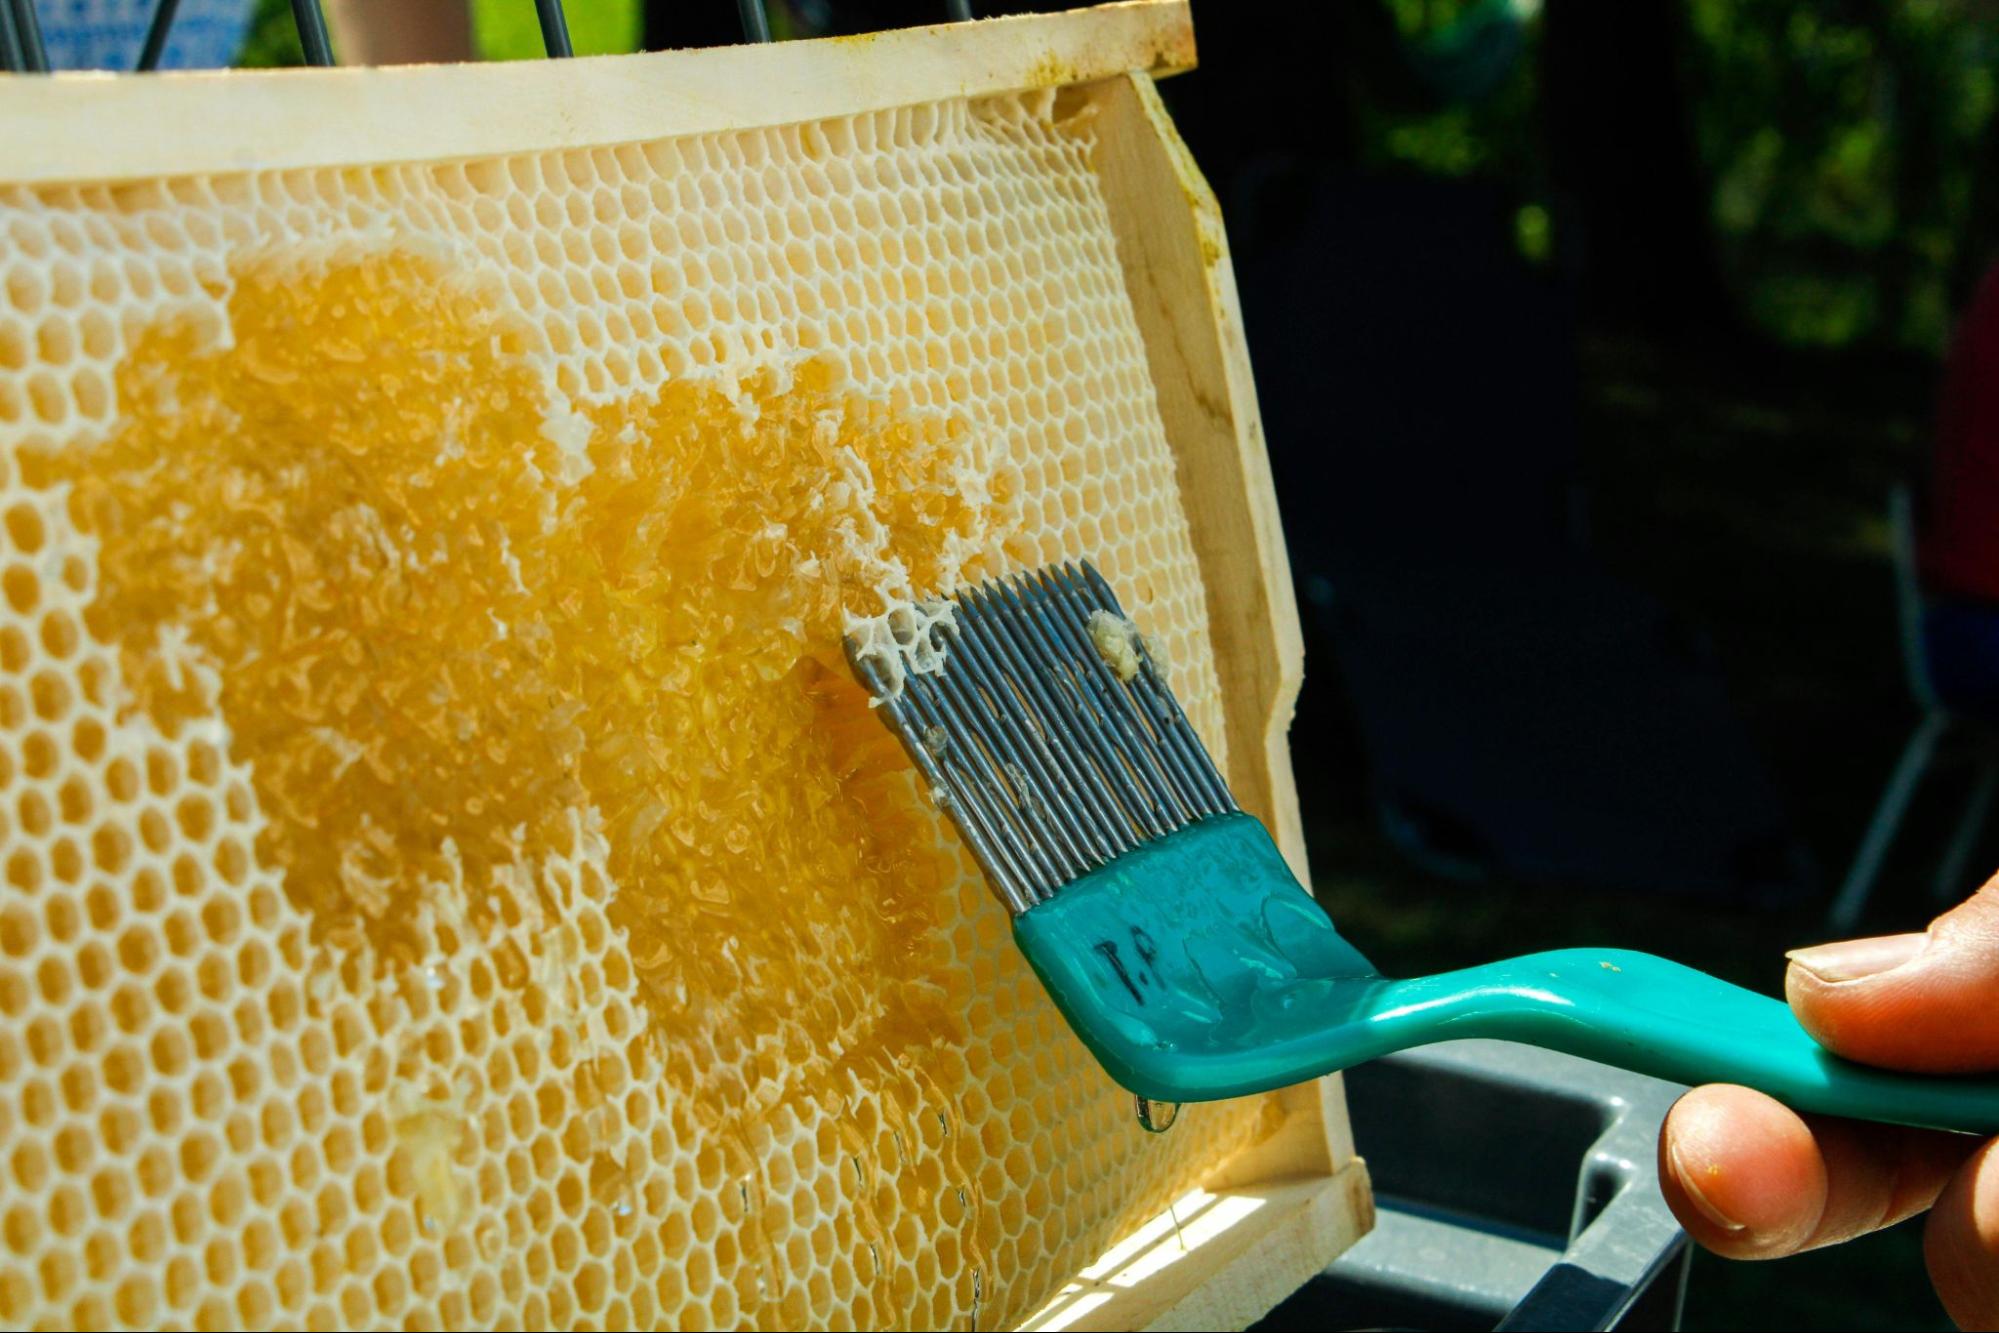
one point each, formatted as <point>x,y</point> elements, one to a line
<point>1752,1180</point>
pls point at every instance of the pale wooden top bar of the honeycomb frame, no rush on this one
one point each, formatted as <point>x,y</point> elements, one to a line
<point>133,127</point>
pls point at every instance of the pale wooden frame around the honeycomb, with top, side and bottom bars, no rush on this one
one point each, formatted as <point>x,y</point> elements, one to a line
<point>1280,1212</point>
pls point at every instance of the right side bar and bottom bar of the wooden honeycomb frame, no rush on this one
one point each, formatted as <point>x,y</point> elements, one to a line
<point>1278,1214</point>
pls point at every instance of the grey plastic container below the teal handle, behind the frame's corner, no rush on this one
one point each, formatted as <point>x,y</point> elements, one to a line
<point>1514,1190</point>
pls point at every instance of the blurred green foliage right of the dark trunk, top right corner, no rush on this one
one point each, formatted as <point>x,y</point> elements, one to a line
<point>1842,145</point>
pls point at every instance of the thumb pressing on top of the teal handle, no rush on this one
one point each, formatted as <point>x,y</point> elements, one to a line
<point>1924,1002</point>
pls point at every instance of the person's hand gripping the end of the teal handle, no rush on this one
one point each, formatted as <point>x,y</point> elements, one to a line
<point>1754,1180</point>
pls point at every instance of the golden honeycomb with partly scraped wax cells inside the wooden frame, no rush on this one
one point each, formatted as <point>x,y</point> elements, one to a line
<point>451,878</point>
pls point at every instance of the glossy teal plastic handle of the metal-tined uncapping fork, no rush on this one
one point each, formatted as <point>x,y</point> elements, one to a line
<point>1196,968</point>
